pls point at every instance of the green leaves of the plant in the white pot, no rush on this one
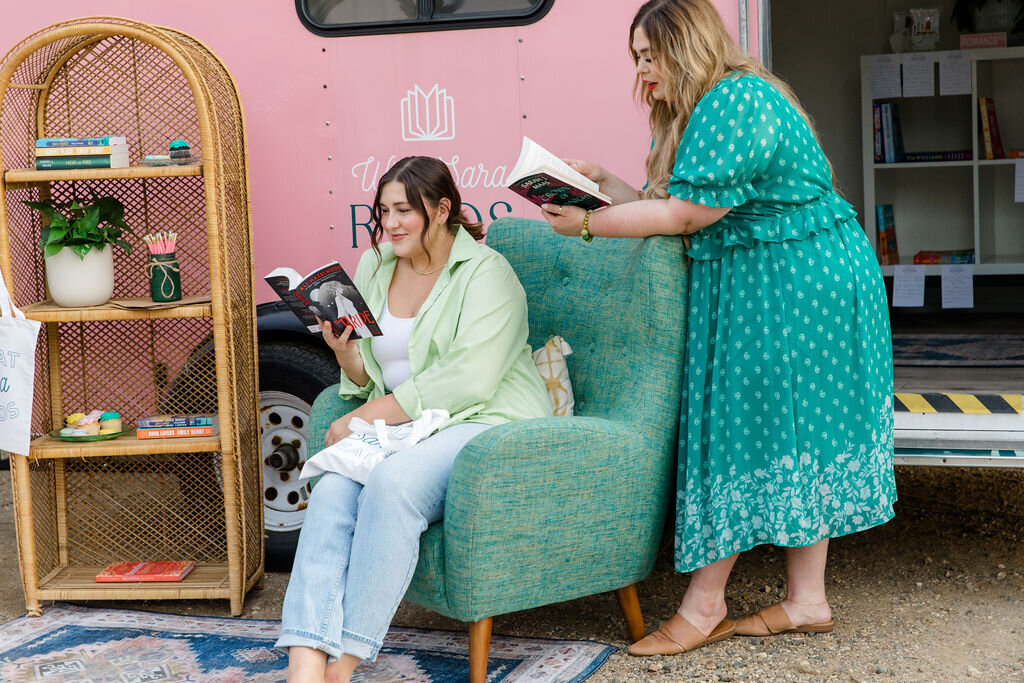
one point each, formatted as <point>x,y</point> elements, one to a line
<point>82,226</point>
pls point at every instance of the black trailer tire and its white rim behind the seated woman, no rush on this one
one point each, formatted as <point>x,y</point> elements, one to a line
<point>291,376</point>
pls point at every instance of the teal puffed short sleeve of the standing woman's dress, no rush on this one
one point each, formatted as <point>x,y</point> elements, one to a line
<point>729,144</point>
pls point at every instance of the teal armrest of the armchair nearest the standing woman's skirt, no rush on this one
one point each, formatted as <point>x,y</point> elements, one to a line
<point>545,510</point>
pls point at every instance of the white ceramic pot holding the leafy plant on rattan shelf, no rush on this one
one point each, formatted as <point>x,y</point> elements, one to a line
<point>76,282</point>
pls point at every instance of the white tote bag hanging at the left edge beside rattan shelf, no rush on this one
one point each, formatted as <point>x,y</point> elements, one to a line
<point>18,370</point>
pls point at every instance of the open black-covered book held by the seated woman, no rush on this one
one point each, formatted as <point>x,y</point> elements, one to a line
<point>327,293</point>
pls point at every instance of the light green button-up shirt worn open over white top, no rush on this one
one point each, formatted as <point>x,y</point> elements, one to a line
<point>467,352</point>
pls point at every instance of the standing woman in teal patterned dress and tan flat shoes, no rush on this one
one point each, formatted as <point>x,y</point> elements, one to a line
<point>787,434</point>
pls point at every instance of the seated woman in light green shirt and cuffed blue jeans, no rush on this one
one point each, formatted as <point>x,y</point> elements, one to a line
<point>454,318</point>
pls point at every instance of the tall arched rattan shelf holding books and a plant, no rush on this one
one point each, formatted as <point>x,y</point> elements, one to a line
<point>81,506</point>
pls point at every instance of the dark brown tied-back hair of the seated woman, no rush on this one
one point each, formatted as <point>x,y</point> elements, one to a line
<point>428,182</point>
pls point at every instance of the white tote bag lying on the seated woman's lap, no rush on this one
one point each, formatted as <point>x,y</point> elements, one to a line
<point>357,455</point>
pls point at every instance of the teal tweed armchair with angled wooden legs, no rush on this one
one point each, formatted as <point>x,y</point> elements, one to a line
<point>547,510</point>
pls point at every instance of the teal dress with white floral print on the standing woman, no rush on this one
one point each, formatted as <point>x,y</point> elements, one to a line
<point>787,435</point>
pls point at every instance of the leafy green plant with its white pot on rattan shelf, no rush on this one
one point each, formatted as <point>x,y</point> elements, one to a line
<point>77,244</point>
